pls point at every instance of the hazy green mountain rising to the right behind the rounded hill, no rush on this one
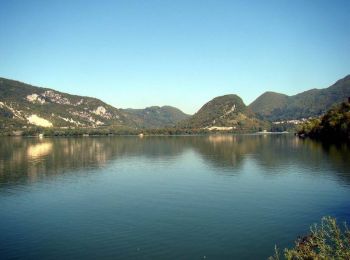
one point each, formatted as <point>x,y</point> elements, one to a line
<point>275,107</point>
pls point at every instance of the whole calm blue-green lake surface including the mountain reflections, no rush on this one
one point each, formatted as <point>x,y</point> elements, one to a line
<point>213,197</point>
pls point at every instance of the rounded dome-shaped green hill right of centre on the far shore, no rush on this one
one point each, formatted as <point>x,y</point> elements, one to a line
<point>224,113</point>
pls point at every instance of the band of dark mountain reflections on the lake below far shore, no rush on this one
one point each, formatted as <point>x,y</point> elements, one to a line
<point>28,159</point>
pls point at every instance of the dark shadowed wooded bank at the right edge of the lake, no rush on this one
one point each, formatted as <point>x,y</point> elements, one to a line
<point>333,126</point>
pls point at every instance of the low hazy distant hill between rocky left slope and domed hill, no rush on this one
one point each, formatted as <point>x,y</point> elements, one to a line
<point>156,117</point>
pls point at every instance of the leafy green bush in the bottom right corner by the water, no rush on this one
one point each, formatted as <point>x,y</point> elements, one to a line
<point>325,241</point>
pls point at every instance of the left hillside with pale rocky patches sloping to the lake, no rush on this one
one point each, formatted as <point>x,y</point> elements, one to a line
<point>29,105</point>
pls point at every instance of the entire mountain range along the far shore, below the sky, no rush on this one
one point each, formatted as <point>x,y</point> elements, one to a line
<point>23,105</point>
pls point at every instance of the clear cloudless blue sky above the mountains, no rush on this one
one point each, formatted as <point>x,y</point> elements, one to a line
<point>180,53</point>
